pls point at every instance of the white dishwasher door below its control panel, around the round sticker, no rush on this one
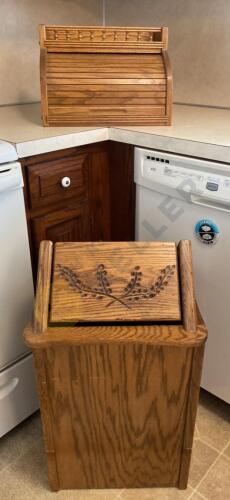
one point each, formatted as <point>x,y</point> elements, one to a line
<point>211,270</point>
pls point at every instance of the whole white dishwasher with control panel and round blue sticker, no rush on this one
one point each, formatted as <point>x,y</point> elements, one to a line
<point>184,198</point>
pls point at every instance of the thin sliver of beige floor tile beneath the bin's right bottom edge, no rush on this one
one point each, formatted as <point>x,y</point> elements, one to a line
<point>156,494</point>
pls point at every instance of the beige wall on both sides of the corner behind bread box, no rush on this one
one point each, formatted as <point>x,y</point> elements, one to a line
<point>199,41</point>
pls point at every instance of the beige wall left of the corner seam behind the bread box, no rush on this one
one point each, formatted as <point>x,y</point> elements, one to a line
<point>19,53</point>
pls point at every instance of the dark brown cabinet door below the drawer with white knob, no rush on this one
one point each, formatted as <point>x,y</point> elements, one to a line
<point>68,224</point>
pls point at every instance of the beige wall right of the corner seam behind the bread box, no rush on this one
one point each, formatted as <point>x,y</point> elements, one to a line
<point>199,43</point>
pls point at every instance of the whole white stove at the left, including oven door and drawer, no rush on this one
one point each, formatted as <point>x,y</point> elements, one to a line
<point>17,381</point>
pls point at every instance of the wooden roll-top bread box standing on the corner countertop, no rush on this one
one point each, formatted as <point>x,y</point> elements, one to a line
<point>105,76</point>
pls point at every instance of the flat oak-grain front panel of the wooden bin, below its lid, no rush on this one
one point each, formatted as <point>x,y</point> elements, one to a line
<point>118,414</point>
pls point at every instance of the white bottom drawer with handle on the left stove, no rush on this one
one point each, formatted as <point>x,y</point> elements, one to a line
<point>18,397</point>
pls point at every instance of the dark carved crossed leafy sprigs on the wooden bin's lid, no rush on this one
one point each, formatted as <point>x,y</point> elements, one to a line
<point>134,290</point>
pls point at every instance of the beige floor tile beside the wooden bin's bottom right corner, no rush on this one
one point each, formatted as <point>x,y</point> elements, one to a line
<point>202,458</point>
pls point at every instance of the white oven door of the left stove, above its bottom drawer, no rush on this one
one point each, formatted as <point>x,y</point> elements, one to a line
<point>16,286</point>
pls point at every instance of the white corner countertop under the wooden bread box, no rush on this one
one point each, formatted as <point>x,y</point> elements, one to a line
<point>196,131</point>
